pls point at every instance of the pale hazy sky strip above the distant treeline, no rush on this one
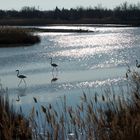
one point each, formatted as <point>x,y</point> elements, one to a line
<point>51,4</point>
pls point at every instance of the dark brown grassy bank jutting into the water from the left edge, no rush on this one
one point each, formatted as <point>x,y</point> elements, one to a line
<point>10,36</point>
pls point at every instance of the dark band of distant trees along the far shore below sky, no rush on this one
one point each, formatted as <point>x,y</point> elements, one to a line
<point>122,14</point>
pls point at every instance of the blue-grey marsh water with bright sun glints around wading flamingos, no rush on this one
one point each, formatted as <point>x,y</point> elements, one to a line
<point>87,62</point>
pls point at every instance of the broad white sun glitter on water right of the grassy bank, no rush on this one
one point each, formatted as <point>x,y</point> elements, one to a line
<point>90,44</point>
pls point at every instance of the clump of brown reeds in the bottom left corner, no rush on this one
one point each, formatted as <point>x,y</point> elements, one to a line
<point>13,125</point>
